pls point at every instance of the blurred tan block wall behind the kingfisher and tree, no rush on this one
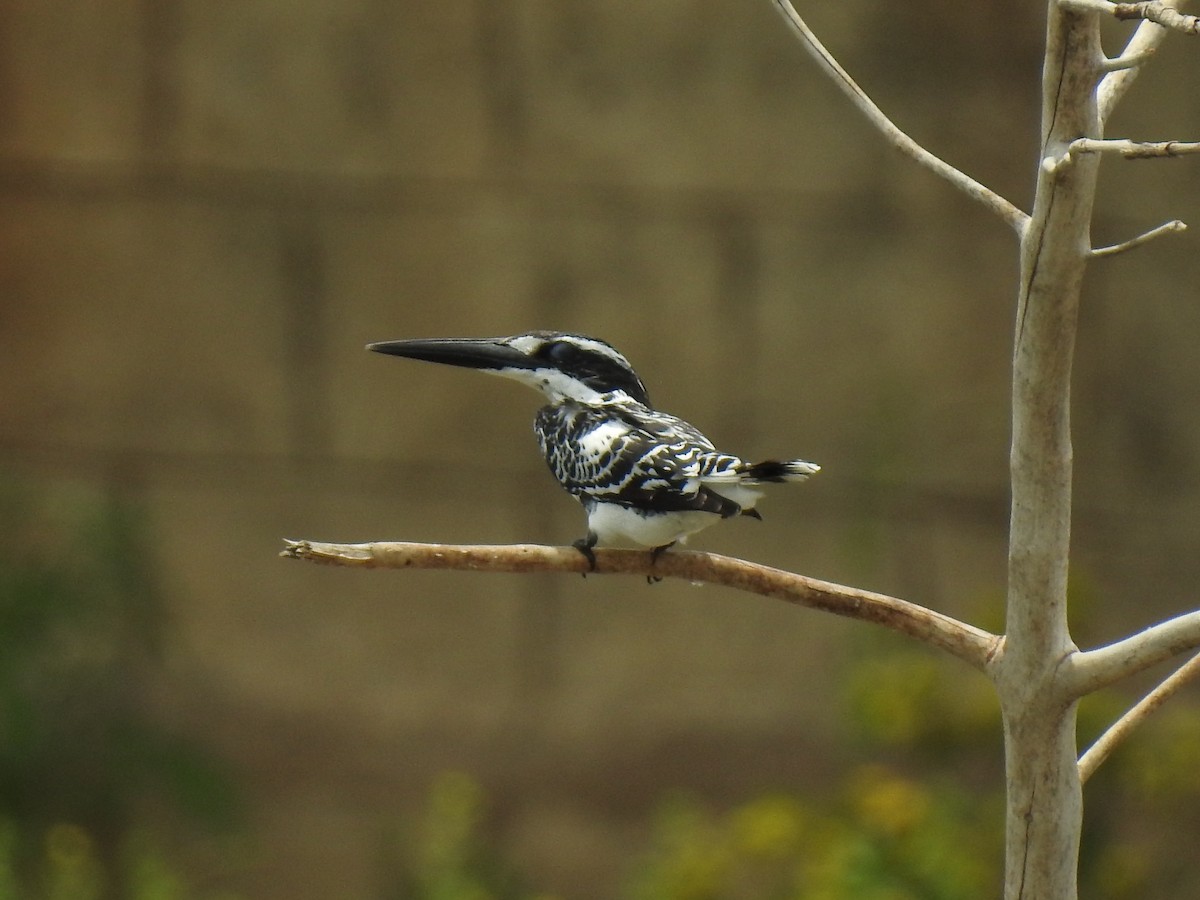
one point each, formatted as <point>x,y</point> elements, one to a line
<point>209,207</point>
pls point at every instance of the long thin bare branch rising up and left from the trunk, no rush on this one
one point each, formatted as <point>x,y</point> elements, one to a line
<point>899,140</point>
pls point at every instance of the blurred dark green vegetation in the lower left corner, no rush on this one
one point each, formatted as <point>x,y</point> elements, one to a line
<point>87,776</point>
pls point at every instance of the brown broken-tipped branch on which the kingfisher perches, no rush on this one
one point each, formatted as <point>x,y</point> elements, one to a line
<point>969,644</point>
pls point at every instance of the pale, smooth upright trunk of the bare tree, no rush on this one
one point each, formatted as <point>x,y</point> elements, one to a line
<point>1045,796</point>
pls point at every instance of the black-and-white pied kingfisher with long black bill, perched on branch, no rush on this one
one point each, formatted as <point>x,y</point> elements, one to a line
<point>646,479</point>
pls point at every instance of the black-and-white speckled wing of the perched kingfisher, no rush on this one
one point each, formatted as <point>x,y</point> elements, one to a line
<point>633,457</point>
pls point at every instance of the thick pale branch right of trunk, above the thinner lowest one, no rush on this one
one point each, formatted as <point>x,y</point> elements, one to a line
<point>1089,671</point>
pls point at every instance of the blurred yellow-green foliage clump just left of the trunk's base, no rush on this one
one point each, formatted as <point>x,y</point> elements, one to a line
<point>881,833</point>
